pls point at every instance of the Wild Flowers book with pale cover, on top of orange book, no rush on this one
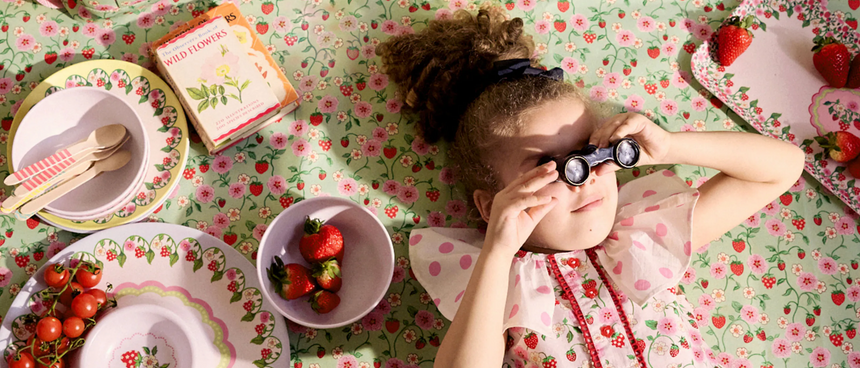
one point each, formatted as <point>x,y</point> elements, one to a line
<point>223,93</point>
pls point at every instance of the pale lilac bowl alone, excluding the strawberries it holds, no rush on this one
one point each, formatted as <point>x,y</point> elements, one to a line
<point>368,259</point>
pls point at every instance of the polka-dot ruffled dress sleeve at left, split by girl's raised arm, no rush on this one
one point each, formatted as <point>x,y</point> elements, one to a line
<point>443,259</point>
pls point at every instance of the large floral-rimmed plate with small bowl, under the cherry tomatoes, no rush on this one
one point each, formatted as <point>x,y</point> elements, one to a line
<point>185,299</point>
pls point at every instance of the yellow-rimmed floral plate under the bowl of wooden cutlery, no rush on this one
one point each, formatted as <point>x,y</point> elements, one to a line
<point>164,121</point>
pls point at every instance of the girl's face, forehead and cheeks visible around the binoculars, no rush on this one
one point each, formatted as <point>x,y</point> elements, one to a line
<point>584,215</point>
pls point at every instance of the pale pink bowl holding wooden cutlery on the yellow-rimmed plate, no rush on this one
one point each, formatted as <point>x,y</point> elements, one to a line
<point>68,116</point>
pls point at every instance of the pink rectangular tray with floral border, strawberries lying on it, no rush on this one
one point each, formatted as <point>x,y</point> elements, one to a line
<point>780,60</point>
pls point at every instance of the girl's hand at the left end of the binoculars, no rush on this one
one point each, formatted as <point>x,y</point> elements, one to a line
<point>516,210</point>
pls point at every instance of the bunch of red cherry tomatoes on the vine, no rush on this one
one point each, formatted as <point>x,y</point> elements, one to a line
<point>74,303</point>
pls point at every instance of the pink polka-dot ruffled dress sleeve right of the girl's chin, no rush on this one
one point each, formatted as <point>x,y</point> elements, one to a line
<point>649,246</point>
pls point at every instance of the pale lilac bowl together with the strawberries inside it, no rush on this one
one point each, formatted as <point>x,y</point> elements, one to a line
<point>325,262</point>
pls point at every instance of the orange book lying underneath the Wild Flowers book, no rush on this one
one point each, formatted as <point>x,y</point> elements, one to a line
<point>256,52</point>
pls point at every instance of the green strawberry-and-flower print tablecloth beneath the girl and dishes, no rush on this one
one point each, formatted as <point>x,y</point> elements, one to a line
<point>793,263</point>
